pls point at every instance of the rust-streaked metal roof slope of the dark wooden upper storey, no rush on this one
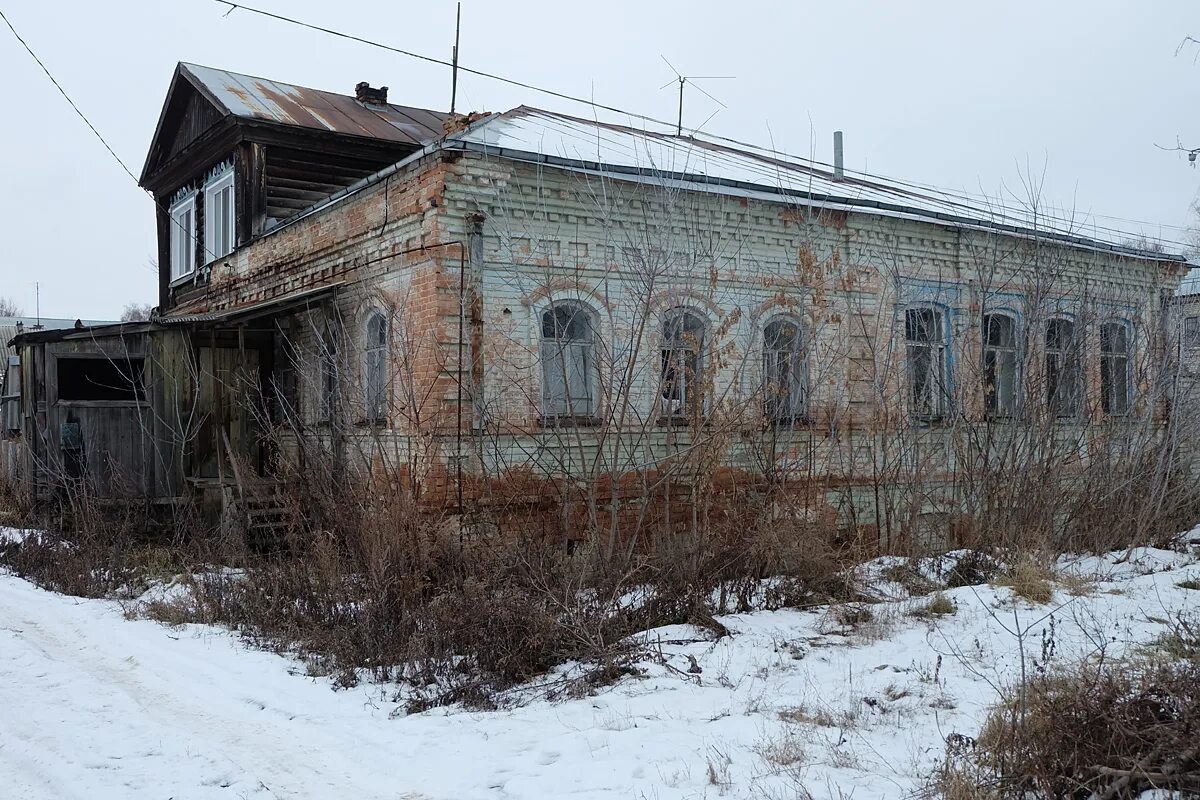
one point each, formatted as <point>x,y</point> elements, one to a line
<point>271,101</point>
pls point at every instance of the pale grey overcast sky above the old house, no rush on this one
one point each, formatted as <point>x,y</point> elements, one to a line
<point>962,95</point>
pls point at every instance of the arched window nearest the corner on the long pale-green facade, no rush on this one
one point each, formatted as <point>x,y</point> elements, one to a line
<point>568,363</point>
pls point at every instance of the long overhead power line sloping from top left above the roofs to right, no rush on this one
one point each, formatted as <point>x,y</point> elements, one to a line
<point>950,195</point>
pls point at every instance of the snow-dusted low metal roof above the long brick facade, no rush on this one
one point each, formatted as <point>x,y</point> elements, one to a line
<point>721,166</point>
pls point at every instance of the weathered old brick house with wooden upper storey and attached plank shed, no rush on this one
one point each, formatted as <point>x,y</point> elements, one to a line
<point>511,308</point>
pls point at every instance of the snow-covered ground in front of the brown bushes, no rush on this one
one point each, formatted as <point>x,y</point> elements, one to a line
<point>97,706</point>
